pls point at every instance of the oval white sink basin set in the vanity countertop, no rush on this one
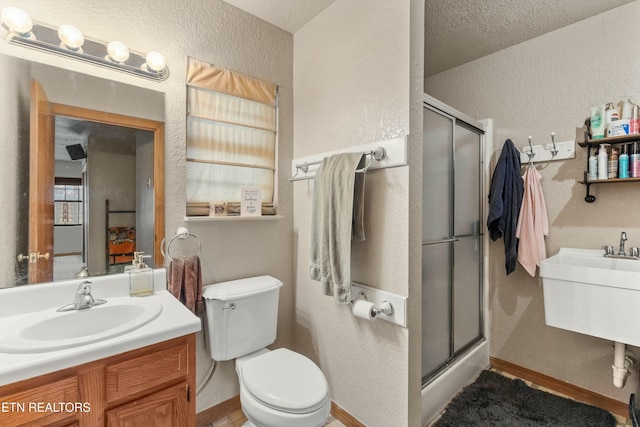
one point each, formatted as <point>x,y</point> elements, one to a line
<point>49,330</point>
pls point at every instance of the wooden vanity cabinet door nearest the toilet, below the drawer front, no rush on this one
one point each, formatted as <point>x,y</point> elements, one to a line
<point>168,407</point>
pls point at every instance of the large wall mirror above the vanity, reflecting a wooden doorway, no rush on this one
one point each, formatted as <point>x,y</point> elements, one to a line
<point>84,175</point>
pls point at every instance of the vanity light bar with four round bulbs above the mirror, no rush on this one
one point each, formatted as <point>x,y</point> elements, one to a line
<point>67,40</point>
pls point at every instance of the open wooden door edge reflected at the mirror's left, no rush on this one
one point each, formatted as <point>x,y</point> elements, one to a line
<point>41,186</point>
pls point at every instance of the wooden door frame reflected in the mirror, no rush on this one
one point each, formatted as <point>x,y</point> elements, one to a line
<point>158,159</point>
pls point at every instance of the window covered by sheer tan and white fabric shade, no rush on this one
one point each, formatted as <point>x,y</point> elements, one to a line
<point>231,138</point>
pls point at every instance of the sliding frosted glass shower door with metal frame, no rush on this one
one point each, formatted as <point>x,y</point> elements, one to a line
<point>451,240</point>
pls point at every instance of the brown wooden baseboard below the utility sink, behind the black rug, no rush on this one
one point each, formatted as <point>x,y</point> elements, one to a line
<point>573,391</point>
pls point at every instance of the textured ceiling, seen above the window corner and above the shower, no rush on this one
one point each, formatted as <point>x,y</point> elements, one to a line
<point>456,31</point>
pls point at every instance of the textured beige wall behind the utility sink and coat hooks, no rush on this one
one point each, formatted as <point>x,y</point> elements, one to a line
<point>543,85</point>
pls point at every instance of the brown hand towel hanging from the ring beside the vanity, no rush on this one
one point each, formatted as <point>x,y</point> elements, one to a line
<point>185,283</point>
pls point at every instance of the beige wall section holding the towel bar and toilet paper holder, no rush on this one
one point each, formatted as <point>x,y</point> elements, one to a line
<point>351,86</point>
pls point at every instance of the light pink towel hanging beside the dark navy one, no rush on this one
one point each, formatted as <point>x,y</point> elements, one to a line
<point>533,223</point>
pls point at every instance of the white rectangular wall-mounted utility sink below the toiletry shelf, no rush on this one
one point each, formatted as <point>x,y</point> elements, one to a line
<point>588,293</point>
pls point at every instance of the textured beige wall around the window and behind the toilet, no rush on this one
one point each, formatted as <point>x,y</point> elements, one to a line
<point>215,32</point>
